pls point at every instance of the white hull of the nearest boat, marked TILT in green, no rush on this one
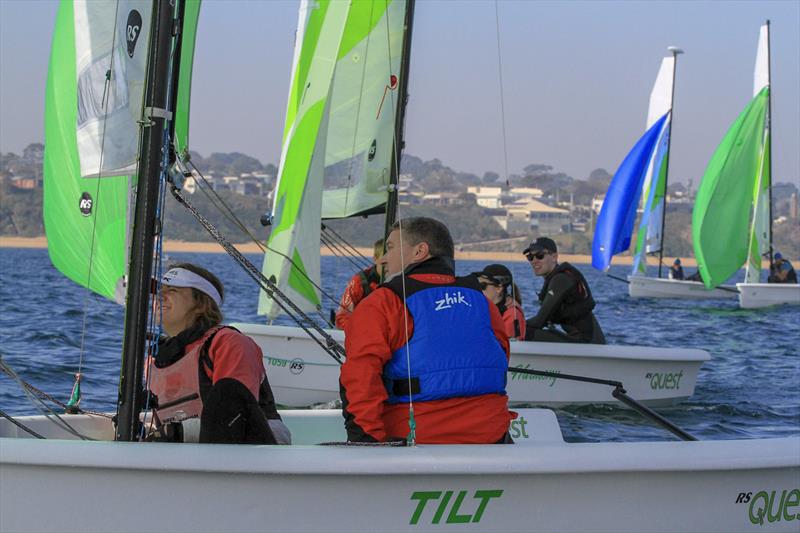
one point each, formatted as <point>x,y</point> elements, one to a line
<point>541,485</point>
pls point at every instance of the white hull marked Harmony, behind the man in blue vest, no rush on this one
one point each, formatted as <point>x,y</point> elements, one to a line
<point>301,373</point>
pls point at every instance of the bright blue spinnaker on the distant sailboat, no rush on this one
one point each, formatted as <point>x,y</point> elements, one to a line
<point>615,223</point>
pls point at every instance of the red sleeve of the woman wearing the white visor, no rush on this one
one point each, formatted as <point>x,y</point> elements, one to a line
<point>237,356</point>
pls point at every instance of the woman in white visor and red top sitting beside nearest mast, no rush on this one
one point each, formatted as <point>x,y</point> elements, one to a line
<point>208,371</point>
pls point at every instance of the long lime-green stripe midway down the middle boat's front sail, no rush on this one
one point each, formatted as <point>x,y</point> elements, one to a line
<point>296,163</point>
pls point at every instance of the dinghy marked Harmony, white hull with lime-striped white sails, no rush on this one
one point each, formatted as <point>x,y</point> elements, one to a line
<point>361,134</point>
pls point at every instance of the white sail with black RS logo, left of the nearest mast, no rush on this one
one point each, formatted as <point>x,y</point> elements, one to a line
<point>110,83</point>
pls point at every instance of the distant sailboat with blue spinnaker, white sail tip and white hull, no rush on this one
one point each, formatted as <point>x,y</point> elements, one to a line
<point>641,179</point>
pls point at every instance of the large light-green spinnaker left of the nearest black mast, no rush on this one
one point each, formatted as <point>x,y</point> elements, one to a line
<point>88,247</point>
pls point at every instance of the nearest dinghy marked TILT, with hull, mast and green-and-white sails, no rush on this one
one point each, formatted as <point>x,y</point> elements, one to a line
<point>540,484</point>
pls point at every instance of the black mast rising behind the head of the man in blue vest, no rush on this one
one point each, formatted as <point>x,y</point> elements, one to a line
<point>399,142</point>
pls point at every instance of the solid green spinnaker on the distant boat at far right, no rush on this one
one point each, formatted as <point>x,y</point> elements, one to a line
<point>723,206</point>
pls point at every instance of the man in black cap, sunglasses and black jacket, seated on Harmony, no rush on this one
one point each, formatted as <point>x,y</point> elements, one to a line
<point>565,299</point>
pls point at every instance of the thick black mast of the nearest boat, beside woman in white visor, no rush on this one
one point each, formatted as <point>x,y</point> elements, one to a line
<point>156,113</point>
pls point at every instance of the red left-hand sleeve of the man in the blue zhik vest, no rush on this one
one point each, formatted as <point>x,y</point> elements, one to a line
<point>372,335</point>
